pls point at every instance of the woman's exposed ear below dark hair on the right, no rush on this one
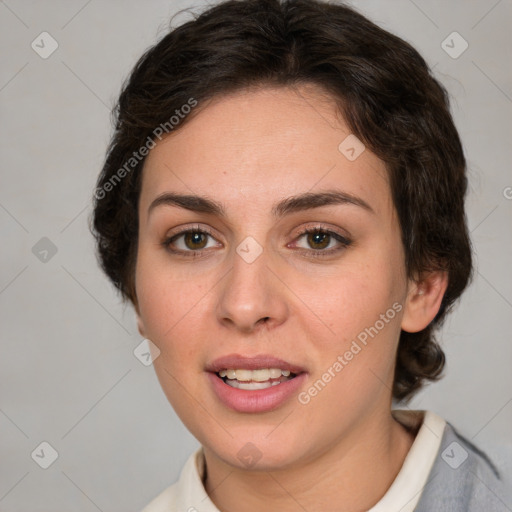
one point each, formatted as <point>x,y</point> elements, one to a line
<point>423,300</point>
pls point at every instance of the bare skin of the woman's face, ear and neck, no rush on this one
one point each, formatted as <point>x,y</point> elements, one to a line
<point>248,150</point>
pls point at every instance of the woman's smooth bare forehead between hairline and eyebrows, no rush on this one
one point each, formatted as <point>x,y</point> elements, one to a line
<point>261,145</point>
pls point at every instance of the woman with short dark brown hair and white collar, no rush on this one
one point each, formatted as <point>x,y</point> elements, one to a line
<point>283,204</point>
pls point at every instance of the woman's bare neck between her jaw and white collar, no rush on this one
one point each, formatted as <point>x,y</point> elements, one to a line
<point>352,475</point>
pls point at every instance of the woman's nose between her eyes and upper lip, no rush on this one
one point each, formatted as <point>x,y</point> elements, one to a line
<point>251,296</point>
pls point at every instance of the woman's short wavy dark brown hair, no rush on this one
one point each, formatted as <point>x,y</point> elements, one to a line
<point>384,91</point>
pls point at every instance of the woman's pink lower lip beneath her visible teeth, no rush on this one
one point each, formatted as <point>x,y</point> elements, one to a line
<point>258,400</point>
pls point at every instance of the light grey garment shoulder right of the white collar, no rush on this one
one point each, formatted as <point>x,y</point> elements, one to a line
<point>466,478</point>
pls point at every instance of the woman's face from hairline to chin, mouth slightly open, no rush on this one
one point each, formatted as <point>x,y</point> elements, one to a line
<point>247,280</point>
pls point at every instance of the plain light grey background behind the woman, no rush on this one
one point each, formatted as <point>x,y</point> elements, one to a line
<point>68,375</point>
